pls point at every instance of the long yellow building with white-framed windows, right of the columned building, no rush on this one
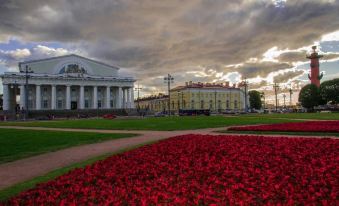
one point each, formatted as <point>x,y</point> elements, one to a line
<point>215,97</point>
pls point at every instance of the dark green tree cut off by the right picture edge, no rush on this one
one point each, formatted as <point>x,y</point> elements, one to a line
<point>329,91</point>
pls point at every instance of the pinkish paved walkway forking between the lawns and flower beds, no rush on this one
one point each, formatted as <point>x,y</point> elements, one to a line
<point>25,169</point>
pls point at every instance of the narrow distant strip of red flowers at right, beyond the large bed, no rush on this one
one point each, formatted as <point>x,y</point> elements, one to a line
<point>311,126</point>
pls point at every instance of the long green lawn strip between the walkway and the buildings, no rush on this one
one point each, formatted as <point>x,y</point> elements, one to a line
<point>153,123</point>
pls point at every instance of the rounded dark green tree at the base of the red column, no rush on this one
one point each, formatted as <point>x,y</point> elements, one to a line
<point>309,96</point>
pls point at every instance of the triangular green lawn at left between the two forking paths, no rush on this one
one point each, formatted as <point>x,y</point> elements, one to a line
<point>18,144</point>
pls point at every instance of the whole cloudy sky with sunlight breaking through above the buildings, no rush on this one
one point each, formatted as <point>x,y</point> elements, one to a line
<point>265,41</point>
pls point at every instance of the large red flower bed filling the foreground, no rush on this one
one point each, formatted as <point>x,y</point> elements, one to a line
<point>203,170</point>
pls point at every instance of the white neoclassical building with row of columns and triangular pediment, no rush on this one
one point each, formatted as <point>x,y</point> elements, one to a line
<point>68,82</point>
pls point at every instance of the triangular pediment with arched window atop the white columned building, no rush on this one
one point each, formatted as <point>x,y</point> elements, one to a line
<point>70,65</point>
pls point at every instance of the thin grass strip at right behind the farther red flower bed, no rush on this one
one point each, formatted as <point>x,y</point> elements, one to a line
<point>319,116</point>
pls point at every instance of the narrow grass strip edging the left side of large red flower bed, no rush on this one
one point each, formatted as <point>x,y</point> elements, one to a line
<point>16,189</point>
